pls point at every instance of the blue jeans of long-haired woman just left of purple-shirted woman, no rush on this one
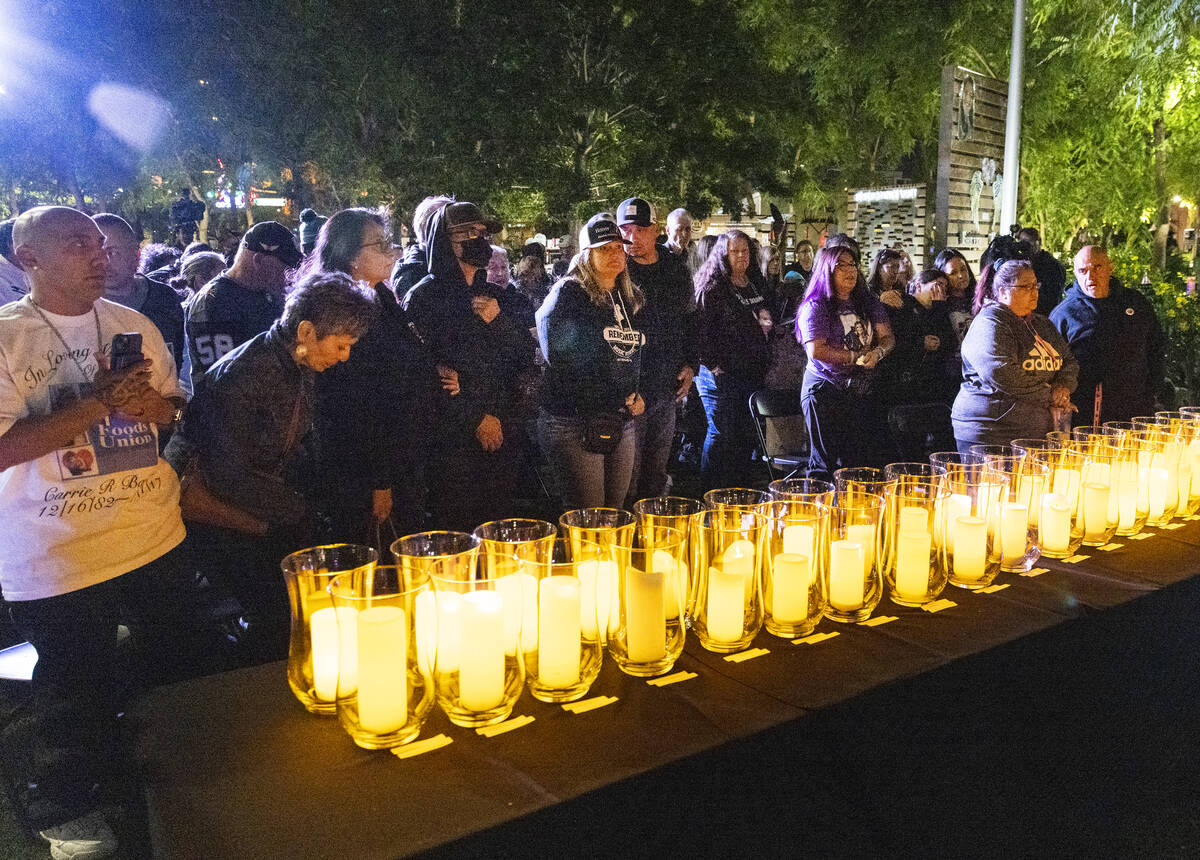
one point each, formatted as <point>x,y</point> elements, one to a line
<point>731,437</point>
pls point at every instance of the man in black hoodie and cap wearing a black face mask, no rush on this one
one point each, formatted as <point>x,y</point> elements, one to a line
<point>457,314</point>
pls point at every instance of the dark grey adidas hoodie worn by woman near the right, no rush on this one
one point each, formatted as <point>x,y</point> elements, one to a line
<point>1010,368</point>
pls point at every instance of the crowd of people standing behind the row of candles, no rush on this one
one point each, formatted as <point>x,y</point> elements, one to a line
<point>323,390</point>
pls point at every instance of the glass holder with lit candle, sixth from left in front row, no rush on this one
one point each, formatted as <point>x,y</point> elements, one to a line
<point>797,534</point>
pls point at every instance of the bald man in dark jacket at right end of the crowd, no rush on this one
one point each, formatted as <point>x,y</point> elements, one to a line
<point>1118,340</point>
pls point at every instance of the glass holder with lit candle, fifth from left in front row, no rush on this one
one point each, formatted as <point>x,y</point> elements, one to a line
<point>729,593</point>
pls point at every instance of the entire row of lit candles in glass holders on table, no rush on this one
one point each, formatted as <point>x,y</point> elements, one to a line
<point>470,621</point>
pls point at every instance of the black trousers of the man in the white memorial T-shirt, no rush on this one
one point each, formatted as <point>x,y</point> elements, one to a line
<point>79,685</point>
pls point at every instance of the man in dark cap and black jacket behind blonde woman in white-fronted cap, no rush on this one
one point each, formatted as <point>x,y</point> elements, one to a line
<point>669,359</point>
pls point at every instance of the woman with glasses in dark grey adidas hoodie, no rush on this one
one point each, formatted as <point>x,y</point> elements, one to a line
<point>1016,365</point>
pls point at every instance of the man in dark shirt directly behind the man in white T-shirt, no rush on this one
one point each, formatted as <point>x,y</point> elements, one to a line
<point>125,286</point>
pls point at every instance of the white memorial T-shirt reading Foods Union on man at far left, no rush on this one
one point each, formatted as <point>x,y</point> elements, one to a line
<point>104,506</point>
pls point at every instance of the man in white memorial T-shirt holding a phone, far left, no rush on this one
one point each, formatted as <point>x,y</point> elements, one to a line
<point>91,513</point>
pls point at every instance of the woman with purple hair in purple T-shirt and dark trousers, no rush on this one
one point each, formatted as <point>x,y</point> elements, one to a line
<point>847,333</point>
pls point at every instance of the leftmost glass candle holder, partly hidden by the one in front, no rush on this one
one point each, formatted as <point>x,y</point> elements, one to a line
<point>315,639</point>
